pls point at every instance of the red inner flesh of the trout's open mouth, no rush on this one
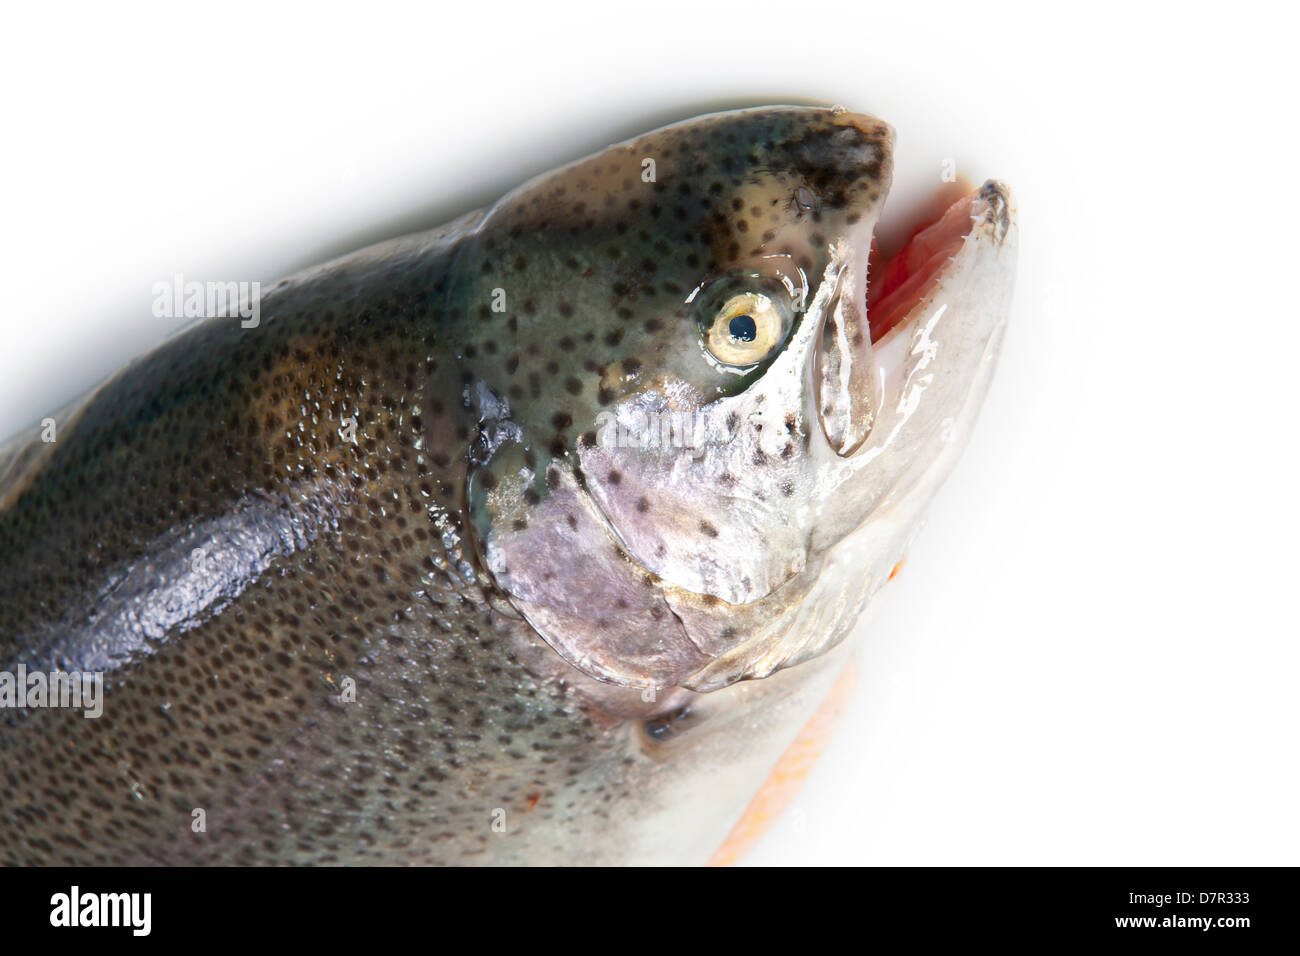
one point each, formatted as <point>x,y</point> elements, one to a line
<point>899,279</point>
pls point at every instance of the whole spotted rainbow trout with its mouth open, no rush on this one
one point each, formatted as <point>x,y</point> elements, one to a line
<point>526,540</point>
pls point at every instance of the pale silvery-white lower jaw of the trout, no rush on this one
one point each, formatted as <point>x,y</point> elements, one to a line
<point>935,367</point>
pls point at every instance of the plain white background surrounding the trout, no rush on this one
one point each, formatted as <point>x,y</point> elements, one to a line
<point>1091,656</point>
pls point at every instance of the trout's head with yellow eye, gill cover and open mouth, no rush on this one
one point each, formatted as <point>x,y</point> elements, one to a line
<point>700,442</point>
